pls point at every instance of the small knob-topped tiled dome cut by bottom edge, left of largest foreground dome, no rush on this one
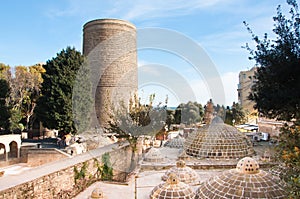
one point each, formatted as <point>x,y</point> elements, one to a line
<point>172,188</point>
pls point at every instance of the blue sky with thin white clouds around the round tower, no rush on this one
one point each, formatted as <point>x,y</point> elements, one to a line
<point>35,31</point>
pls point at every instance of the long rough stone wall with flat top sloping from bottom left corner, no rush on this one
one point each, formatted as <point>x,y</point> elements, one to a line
<point>67,177</point>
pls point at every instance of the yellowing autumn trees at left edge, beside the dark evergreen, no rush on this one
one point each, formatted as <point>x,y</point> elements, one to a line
<point>24,87</point>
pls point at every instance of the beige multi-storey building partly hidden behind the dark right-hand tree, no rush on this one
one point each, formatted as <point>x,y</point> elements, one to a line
<point>246,81</point>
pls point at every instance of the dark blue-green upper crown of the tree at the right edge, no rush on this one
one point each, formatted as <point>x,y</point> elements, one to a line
<point>277,91</point>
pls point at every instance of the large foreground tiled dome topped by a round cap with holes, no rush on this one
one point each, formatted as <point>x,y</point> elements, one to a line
<point>242,182</point>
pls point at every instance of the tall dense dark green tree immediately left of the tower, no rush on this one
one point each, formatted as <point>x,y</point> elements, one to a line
<point>54,107</point>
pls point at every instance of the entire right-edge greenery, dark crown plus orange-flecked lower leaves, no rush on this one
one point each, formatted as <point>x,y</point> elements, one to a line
<point>277,91</point>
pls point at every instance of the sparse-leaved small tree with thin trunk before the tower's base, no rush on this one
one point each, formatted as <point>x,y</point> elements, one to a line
<point>133,121</point>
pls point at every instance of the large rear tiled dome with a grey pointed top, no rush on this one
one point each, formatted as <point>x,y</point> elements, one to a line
<point>218,140</point>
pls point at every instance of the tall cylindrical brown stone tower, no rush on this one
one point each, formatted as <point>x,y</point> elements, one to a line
<point>110,48</point>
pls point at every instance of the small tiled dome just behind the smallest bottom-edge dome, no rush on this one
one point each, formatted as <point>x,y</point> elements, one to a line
<point>184,173</point>
